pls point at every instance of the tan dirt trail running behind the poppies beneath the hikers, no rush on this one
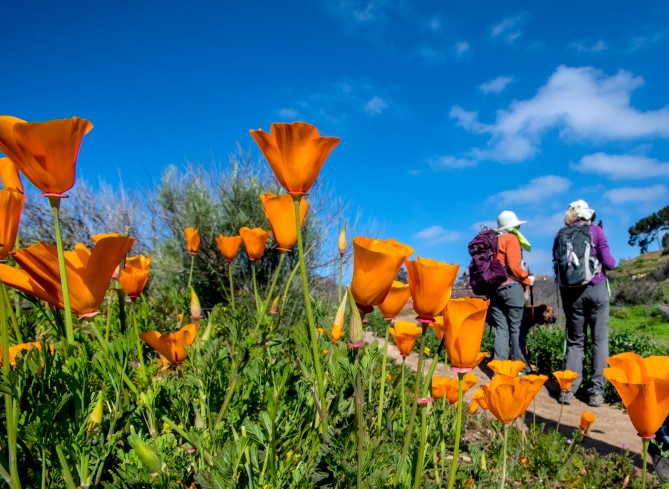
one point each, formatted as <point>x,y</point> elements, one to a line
<point>611,432</point>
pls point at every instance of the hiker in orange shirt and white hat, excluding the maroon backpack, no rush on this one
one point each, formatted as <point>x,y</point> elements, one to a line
<point>508,300</point>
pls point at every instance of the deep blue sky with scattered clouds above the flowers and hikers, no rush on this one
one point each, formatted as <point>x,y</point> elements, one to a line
<point>449,111</point>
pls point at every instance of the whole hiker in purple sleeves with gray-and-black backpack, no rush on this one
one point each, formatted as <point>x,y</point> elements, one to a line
<point>581,253</point>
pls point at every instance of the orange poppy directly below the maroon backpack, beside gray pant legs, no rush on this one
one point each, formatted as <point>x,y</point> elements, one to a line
<point>464,323</point>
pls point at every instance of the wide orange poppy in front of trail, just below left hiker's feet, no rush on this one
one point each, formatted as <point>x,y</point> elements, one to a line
<point>507,397</point>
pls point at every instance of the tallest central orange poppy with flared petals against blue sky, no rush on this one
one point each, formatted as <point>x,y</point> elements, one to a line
<point>296,153</point>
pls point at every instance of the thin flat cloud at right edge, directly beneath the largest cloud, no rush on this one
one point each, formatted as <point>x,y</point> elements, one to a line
<point>622,167</point>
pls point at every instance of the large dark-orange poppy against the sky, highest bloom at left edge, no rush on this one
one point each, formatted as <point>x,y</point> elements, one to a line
<point>45,152</point>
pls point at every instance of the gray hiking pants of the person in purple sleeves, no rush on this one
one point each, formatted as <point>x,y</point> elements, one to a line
<point>587,307</point>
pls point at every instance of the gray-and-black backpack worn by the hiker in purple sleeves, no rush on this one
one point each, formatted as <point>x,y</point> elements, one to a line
<point>574,257</point>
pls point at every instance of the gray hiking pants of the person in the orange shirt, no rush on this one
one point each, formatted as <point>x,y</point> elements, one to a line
<point>506,312</point>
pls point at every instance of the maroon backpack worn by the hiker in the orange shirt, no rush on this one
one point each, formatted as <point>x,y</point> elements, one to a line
<point>485,272</point>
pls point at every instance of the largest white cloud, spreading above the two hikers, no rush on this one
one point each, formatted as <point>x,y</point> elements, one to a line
<point>583,104</point>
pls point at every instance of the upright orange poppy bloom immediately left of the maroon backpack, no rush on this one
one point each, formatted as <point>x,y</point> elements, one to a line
<point>430,282</point>
